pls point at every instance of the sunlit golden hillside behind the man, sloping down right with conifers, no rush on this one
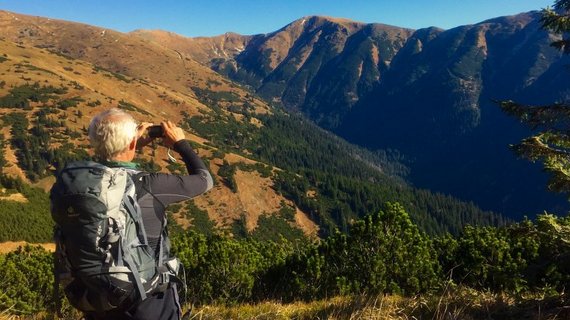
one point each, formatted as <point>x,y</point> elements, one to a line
<point>274,171</point>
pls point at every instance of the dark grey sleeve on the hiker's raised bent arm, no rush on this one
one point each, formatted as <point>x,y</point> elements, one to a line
<point>170,188</point>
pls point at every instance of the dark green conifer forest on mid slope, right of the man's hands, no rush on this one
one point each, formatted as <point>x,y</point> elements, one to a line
<point>331,180</point>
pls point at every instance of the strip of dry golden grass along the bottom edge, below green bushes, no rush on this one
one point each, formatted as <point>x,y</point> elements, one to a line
<point>463,303</point>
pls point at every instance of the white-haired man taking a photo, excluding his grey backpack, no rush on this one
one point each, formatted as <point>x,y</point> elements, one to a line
<point>115,136</point>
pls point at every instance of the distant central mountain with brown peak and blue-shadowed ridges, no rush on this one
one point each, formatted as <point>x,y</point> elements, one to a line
<point>310,63</point>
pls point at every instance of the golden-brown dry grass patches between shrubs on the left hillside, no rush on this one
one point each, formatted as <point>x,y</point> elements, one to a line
<point>83,79</point>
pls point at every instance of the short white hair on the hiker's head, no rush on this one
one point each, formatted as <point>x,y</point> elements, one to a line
<point>111,132</point>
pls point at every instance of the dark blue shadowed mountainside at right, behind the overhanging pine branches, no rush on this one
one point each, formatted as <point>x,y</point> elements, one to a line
<point>437,105</point>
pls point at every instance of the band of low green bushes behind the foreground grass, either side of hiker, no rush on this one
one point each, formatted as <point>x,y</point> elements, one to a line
<point>382,253</point>
